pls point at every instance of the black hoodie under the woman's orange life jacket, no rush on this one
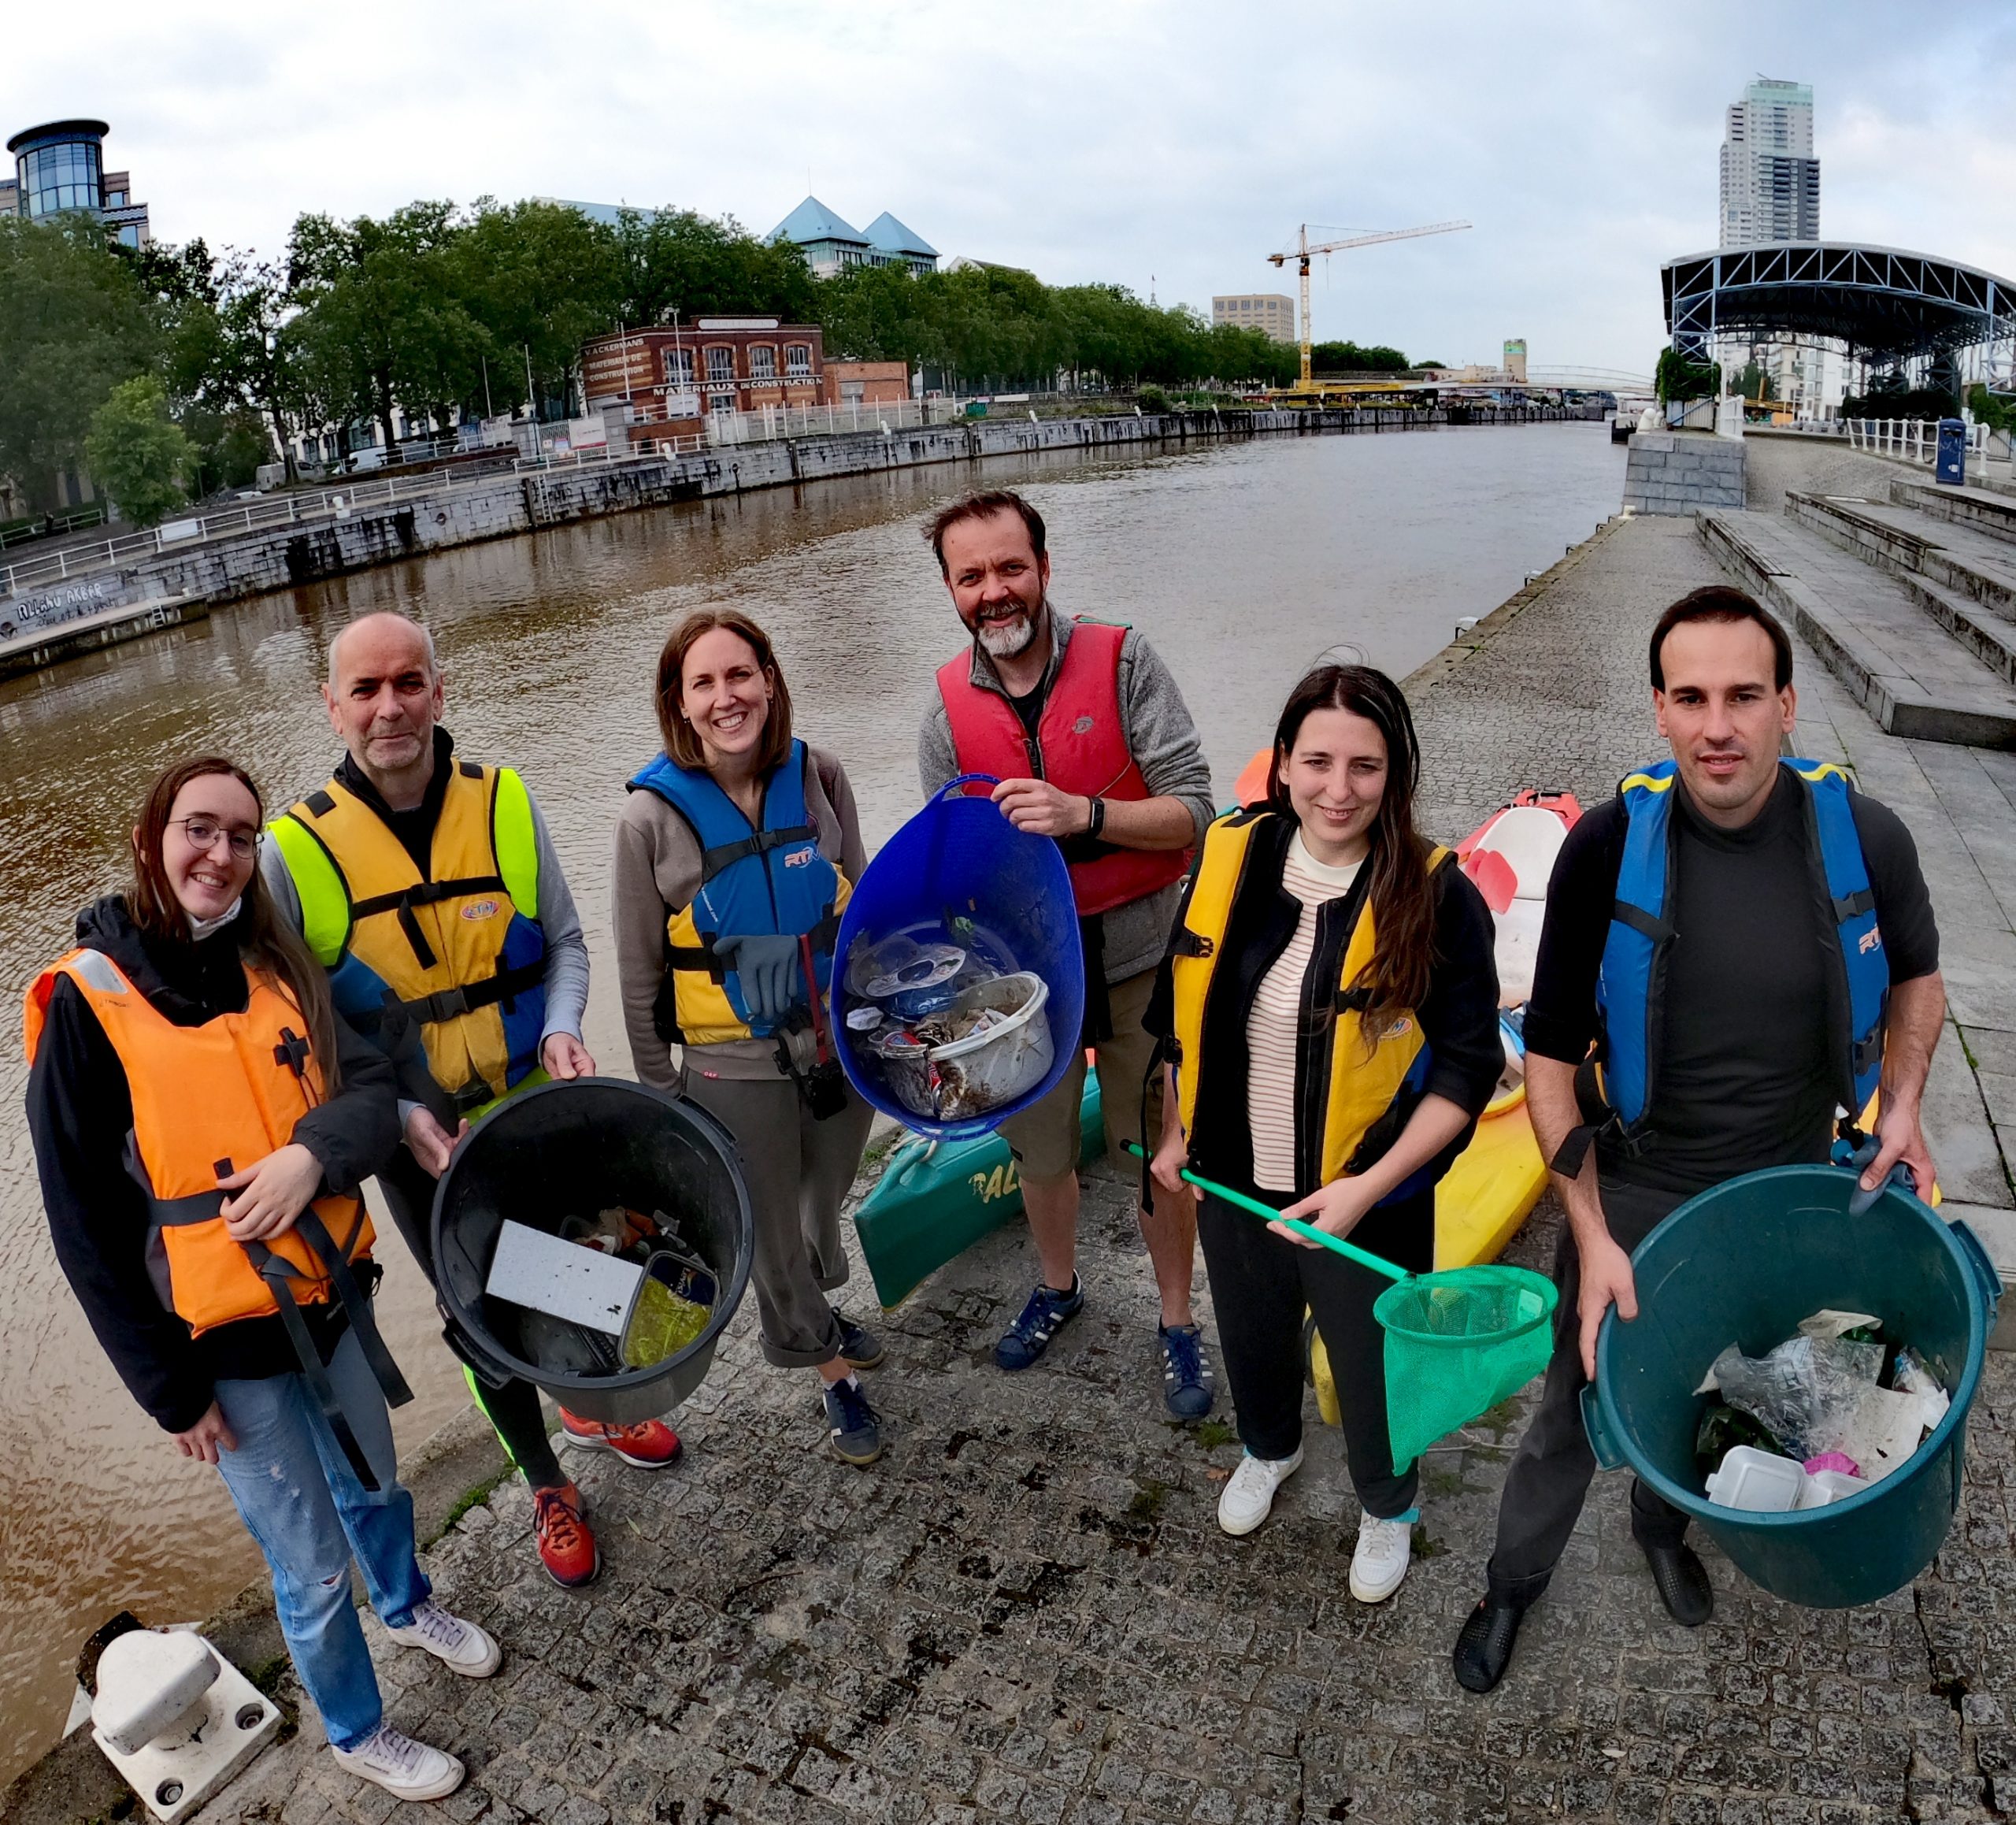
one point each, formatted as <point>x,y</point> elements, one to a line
<point>80,1116</point>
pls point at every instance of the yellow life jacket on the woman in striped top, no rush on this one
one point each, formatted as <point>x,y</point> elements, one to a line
<point>1364,1086</point>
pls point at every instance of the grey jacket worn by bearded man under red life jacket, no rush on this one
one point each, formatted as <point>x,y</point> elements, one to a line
<point>1164,745</point>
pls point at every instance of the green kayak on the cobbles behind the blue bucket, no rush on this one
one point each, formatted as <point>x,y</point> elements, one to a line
<point>936,1199</point>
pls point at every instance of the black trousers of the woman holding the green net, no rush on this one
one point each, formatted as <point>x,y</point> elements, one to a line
<point>1261,1286</point>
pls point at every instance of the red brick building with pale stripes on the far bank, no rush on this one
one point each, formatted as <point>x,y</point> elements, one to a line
<point>717,364</point>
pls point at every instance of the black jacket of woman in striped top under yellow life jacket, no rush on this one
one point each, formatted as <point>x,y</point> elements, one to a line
<point>1459,1013</point>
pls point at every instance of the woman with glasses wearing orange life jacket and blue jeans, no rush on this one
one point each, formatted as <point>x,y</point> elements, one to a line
<point>203,1122</point>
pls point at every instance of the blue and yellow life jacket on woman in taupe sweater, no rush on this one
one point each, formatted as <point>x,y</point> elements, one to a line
<point>753,882</point>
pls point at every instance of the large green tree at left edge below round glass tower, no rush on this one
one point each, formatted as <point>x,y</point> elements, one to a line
<point>74,324</point>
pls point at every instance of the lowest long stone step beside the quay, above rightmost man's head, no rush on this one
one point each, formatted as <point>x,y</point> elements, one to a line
<point>1874,632</point>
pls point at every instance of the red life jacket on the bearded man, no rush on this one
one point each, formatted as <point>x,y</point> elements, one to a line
<point>1082,747</point>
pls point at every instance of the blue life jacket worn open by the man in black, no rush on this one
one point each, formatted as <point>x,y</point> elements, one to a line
<point>1632,983</point>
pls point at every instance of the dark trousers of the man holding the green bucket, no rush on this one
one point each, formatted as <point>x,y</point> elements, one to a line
<point>1553,1465</point>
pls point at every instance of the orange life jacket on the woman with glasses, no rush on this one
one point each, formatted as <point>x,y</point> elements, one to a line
<point>207,1102</point>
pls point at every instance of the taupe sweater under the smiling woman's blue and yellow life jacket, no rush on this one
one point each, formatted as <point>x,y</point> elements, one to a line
<point>658,870</point>
